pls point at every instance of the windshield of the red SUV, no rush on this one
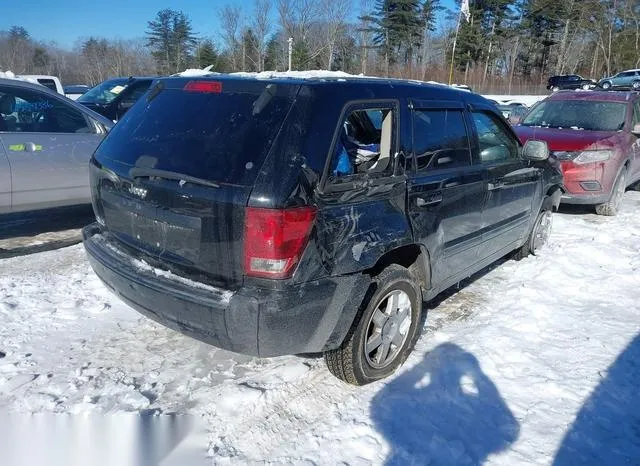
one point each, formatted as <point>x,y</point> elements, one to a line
<point>578,114</point>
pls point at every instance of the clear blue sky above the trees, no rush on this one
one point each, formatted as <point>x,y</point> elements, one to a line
<point>69,20</point>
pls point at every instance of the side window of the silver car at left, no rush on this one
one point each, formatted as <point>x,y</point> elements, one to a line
<point>25,110</point>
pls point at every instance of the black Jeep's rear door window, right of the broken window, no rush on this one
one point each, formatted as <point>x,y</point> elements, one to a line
<point>440,139</point>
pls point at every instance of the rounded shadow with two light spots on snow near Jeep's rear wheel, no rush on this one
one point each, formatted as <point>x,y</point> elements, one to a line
<point>444,411</point>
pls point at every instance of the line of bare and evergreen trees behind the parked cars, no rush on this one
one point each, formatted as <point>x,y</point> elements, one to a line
<point>505,46</point>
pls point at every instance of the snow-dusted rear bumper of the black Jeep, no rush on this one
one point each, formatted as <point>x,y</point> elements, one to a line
<point>305,318</point>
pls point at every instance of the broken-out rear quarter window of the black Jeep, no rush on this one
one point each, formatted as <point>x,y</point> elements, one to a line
<point>364,143</point>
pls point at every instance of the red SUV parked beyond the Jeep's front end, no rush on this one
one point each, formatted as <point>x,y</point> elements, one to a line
<point>594,137</point>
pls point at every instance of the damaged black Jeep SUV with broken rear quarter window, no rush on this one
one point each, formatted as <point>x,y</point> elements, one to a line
<point>289,216</point>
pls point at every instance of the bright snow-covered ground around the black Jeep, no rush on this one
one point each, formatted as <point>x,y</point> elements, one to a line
<point>529,363</point>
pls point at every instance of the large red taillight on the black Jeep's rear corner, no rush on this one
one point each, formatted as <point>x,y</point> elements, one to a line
<point>274,240</point>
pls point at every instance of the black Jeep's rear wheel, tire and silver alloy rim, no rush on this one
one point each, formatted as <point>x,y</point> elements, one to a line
<point>384,335</point>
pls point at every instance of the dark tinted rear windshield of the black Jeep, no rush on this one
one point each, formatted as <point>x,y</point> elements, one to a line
<point>218,136</point>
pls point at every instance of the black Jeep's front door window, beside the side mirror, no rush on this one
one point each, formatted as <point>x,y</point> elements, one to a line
<point>496,143</point>
